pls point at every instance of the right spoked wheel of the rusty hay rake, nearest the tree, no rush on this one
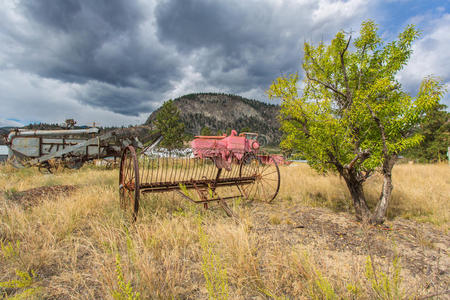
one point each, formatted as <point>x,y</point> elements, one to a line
<point>266,174</point>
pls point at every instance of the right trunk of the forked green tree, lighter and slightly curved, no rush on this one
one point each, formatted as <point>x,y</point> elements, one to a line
<point>379,215</point>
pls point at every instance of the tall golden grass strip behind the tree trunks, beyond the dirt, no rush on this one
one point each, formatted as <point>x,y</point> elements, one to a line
<point>421,192</point>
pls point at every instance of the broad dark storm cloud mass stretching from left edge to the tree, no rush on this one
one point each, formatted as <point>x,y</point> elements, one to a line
<point>128,56</point>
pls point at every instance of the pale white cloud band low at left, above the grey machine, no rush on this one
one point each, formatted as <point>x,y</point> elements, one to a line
<point>31,98</point>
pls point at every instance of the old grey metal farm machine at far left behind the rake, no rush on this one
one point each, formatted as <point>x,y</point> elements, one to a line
<point>68,147</point>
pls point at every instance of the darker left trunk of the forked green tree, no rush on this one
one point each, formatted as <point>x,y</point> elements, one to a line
<point>356,191</point>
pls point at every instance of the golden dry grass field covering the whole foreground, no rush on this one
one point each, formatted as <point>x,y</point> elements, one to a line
<point>60,242</point>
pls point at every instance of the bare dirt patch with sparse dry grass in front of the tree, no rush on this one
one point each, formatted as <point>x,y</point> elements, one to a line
<point>423,250</point>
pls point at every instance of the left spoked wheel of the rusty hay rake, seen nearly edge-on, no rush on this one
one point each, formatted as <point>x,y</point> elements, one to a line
<point>129,182</point>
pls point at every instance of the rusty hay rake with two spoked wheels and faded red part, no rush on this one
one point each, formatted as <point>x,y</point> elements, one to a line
<point>212,162</point>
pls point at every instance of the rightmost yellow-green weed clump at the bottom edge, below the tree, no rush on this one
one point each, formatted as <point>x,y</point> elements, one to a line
<point>385,286</point>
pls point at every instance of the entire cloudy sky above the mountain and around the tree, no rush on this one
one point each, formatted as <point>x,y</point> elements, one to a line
<point>113,62</point>
